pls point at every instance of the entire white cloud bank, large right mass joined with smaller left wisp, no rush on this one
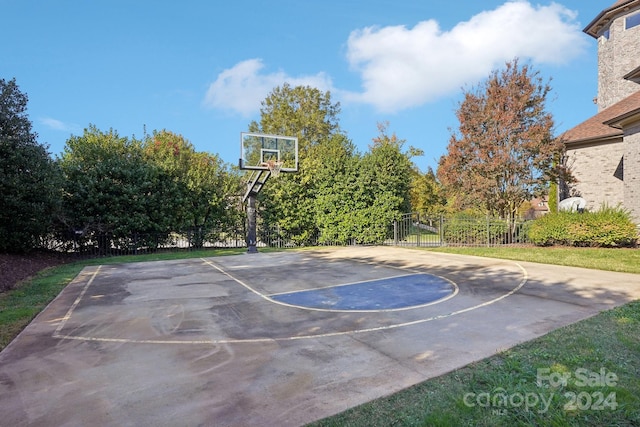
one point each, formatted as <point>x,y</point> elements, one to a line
<point>404,67</point>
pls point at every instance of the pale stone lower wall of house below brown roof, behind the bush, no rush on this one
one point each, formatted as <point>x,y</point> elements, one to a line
<point>596,169</point>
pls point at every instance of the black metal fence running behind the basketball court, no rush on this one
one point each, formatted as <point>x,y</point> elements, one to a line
<point>412,229</point>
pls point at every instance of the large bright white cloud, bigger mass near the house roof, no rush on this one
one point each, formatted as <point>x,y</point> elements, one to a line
<point>402,68</point>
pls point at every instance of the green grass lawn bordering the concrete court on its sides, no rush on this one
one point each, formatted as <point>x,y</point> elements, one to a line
<point>599,357</point>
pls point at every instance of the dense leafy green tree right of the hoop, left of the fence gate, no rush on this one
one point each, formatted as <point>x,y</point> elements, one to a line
<point>359,196</point>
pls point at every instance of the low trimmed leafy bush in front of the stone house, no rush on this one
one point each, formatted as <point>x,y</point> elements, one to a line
<point>608,227</point>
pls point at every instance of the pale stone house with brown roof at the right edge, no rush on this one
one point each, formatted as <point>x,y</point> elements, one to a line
<point>603,152</point>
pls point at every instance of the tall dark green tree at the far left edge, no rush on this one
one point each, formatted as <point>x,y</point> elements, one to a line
<point>29,178</point>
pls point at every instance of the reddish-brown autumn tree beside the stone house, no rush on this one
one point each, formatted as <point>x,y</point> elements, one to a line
<point>504,151</point>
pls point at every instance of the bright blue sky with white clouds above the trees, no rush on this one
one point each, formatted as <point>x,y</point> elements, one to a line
<point>200,68</point>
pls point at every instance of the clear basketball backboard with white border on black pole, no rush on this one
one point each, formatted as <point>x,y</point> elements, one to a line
<point>258,149</point>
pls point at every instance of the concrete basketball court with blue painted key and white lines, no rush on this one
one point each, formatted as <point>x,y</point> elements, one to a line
<point>232,341</point>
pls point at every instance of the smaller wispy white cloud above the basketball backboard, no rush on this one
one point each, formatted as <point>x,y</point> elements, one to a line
<point>243,87</point>
